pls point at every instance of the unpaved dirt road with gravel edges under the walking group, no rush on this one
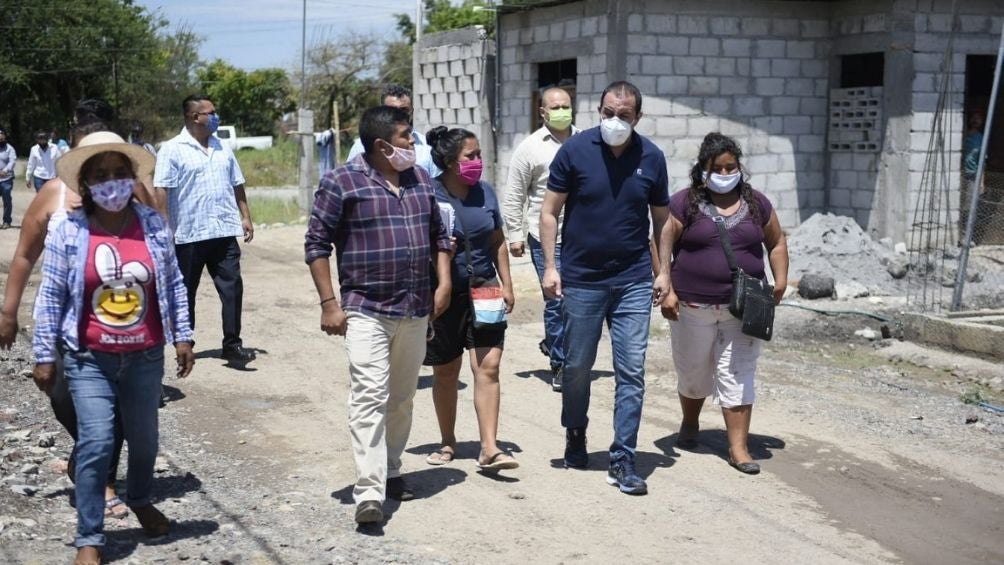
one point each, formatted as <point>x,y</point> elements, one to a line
<point>867,455</point>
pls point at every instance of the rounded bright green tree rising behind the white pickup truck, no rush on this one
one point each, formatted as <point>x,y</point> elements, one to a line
<point>252,101</point>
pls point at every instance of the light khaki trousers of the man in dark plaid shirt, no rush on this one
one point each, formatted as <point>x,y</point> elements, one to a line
<point>385,357</point>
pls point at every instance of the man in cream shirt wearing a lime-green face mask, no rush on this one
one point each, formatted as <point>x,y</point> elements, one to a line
<point>529,172</point>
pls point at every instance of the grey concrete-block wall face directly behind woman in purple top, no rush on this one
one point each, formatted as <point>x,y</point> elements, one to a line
<point>754,71</point>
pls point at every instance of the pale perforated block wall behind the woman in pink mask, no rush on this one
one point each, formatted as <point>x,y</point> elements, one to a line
<point>454,83</point>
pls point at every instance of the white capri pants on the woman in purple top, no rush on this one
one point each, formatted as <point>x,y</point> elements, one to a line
<point>713,356</point>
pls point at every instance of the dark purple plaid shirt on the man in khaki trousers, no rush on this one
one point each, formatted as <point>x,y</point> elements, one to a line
<point>386,244</point>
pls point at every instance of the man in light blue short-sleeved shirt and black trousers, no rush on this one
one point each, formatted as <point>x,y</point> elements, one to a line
<point>208,209</point>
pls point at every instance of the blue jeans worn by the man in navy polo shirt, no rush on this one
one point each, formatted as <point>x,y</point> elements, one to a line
<point>628,312</point>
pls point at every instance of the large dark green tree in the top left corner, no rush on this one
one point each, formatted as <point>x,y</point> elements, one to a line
<point>56,53</point>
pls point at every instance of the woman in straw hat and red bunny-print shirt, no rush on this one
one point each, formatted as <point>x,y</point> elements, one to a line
<point>112,297</point>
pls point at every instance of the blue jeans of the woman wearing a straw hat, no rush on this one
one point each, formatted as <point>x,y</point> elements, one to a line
<point>99,383</point>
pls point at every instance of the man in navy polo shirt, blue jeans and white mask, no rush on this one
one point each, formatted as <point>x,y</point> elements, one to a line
<point>609,180</point>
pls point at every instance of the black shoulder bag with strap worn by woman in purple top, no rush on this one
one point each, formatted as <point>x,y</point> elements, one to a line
<point>752,300</point>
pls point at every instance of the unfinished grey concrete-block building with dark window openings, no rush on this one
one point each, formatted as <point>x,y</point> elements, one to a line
<point>834,102</point>
